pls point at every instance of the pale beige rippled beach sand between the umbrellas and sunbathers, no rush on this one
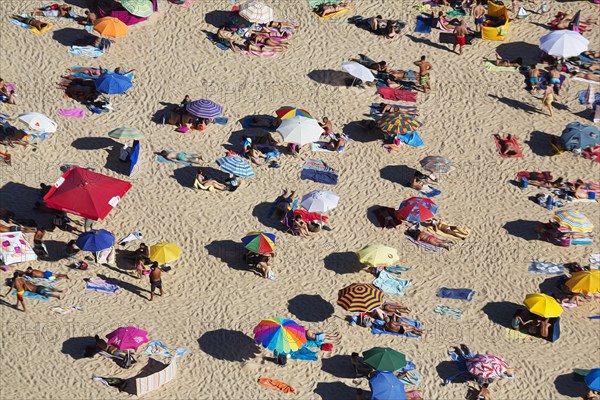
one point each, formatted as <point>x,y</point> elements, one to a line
<point>212,302</point>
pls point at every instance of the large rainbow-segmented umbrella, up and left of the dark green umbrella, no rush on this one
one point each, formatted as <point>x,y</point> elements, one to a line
<point>280,334</point>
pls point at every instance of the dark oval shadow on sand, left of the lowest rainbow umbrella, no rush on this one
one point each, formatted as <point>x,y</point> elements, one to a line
<point>241,346</point>
